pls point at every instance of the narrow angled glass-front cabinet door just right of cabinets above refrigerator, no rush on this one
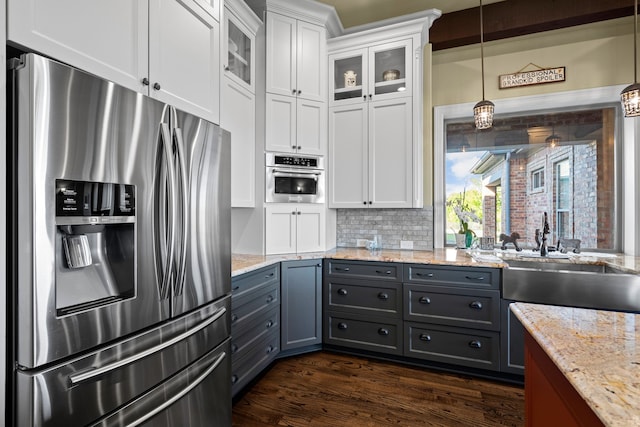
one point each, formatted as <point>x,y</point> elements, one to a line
<point>240,56</point>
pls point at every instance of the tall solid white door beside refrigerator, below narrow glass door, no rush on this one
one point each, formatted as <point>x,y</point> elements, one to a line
<point>238,117</point>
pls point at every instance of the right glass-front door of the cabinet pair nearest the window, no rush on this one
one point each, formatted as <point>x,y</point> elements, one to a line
<point>391,70</point>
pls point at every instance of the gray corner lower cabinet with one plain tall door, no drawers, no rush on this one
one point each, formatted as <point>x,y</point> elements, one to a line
<point>301,307</point>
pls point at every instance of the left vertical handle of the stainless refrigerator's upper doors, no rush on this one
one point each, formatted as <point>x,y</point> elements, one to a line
<point>167,228</point>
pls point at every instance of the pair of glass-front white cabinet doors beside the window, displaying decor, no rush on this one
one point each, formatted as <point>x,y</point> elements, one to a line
<point>382,71</point>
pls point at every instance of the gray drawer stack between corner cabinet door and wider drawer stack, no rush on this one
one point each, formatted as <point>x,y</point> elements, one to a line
<point>362,303</point>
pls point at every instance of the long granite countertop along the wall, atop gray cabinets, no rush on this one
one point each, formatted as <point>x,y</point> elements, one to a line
<point>244,263</point>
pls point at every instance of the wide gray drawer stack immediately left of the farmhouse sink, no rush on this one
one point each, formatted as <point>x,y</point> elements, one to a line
<point>452,315</point>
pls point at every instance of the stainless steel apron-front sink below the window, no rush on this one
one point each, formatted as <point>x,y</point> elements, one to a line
<point>571,284</point>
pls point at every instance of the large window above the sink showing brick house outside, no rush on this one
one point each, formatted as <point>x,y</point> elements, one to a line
<point>514,175</point>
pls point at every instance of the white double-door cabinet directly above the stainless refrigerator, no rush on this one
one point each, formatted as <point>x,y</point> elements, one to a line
<point>168,49</point>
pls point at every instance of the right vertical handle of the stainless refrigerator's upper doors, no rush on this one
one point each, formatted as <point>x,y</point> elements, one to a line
<point>183,205</point>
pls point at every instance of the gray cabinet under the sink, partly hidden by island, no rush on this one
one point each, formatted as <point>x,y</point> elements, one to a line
<point>512,341</point>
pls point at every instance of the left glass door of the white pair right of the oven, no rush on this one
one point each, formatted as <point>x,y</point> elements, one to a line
<point>349,77</point>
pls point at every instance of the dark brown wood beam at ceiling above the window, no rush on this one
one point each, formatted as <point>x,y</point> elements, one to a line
<point>514,18</point>
